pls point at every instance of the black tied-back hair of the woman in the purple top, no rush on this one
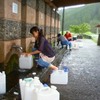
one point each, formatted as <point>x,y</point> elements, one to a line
<point>40,31</point>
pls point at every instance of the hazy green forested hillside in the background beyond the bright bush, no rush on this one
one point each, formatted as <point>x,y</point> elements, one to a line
<point>87,14</point>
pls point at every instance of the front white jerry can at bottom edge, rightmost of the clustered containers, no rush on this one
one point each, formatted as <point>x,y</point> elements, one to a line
<point>48,93</point>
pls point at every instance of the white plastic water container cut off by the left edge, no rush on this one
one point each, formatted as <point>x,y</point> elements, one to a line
<point>2,82</point>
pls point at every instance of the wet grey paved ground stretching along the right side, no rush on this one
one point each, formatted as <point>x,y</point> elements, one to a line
<point>84,73</point>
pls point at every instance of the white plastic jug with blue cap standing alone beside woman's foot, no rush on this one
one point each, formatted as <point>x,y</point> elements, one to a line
<point>59,77</point>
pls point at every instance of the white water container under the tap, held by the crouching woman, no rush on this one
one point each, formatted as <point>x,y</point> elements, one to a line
<point>25,62</point>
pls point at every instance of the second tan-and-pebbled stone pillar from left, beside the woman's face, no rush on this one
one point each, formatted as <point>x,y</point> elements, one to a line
<point>28,17</point>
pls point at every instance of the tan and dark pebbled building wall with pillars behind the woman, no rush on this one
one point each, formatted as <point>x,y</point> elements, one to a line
<point>14,27</point>
